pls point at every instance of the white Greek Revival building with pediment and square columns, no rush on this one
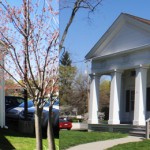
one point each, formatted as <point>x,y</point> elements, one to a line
<point>124,53</point>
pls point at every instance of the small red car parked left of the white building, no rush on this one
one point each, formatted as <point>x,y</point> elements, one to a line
<point>65,124</point>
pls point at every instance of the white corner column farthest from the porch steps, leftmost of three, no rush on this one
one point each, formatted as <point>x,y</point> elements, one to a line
<point>94,100</point>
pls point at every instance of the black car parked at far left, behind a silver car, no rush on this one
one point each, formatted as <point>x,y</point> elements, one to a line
<point>12,101</point>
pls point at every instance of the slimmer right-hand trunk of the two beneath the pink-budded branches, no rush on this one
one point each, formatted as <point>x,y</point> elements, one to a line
<point>50,135</point>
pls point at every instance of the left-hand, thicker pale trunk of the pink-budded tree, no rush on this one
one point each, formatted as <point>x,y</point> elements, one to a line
<point>38,128</point>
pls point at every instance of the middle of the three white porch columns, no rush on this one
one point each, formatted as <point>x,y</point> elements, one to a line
<point>114,106</point>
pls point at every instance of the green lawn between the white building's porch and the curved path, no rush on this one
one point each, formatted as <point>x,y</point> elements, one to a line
<point>72,138</point>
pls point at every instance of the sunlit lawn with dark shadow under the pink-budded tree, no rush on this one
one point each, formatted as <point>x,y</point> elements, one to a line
<point>10,139</point>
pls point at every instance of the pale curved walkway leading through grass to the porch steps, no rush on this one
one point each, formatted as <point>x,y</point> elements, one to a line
<point>102,145</point>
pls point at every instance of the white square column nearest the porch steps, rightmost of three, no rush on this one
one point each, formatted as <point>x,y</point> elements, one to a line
<point>140,96</point>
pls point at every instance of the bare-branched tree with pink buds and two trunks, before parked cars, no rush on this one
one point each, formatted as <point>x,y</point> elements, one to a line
<point>29,32</point>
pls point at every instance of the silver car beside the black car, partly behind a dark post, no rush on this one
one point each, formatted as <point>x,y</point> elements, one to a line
<point>15,112</point>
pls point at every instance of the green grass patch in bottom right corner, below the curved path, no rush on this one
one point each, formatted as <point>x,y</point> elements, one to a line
<point>143,145</point>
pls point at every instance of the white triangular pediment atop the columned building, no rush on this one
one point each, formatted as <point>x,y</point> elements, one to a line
<point>125,34</point>
